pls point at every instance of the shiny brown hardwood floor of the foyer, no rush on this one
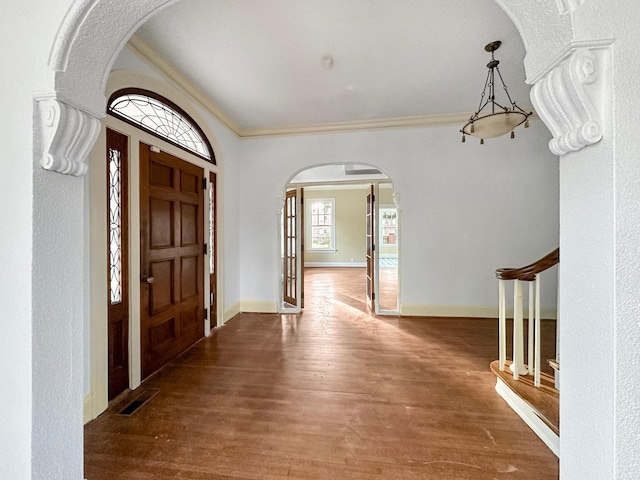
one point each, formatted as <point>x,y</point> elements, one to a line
<point>332,393</point>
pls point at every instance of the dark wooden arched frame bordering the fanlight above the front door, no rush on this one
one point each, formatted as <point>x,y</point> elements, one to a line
<point>192,123</point>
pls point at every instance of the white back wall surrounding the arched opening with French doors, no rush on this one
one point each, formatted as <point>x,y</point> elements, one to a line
<point>466,209</point>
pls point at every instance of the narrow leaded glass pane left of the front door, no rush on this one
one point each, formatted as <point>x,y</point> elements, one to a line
<point>115,225</point>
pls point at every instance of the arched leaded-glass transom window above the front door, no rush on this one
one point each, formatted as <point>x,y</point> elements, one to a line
<point>162,118</point>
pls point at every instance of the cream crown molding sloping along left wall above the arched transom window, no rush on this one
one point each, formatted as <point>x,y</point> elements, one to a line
<point>157,60</point>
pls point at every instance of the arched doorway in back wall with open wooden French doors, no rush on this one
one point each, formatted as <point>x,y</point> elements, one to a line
<point>348,219</point>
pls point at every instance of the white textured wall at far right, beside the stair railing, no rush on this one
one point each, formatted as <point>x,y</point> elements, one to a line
<point>600,273</point>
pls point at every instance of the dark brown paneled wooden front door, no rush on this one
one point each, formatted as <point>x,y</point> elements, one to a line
<point>171,256</point>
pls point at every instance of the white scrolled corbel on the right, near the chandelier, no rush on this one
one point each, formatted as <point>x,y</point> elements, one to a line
<point>565,106</point>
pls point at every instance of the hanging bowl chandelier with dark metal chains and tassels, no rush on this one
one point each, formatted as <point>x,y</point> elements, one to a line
<point>492,119</point>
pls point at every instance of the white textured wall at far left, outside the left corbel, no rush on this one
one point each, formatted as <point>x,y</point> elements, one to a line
<point>27,394</point>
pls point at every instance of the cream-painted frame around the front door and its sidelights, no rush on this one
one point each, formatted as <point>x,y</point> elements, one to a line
<point>96,401</point>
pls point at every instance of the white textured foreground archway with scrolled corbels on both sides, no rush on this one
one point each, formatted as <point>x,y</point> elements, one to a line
<point>572,85</point>
